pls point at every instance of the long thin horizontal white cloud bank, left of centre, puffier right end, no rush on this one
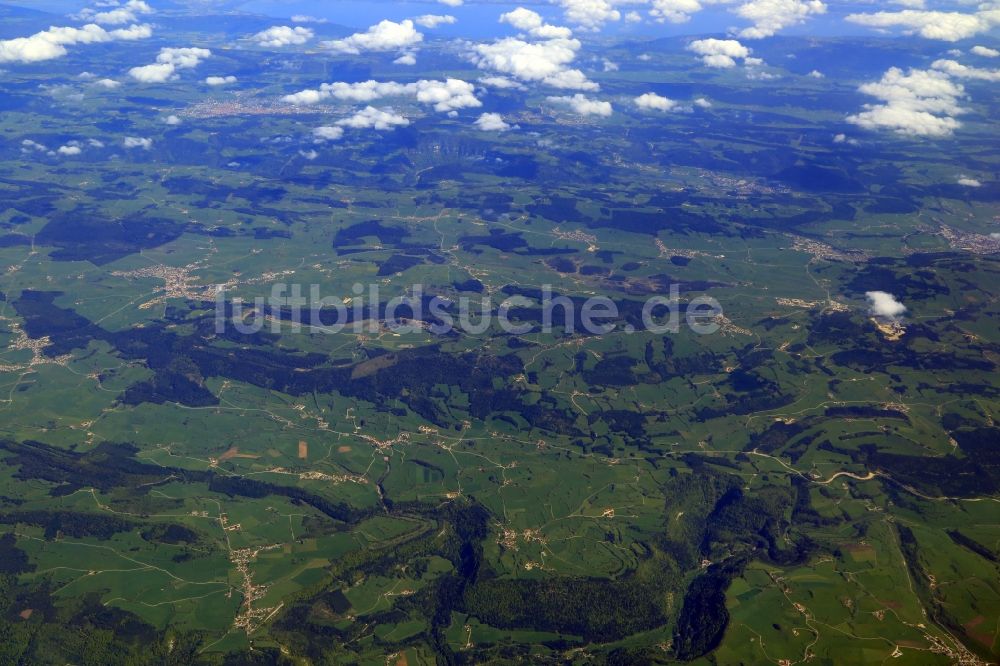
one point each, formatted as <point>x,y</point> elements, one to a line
<point>445,96</point>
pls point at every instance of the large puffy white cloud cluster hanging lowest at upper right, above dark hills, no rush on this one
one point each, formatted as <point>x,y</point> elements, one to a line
<point>913,103</point>
